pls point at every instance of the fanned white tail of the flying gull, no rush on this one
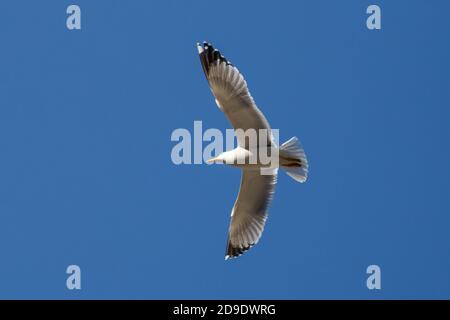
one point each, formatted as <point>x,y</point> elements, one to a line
<point>293,160</point>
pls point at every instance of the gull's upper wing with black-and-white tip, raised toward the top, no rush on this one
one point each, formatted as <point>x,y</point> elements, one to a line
<point>232,95</point>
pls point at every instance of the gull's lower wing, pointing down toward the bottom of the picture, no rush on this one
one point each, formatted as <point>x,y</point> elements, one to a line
<point>250,211</point>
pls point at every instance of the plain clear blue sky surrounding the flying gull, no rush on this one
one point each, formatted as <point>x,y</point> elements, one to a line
<point>86,176</point>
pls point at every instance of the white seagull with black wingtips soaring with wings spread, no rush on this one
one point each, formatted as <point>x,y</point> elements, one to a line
<point>258,180</point>
